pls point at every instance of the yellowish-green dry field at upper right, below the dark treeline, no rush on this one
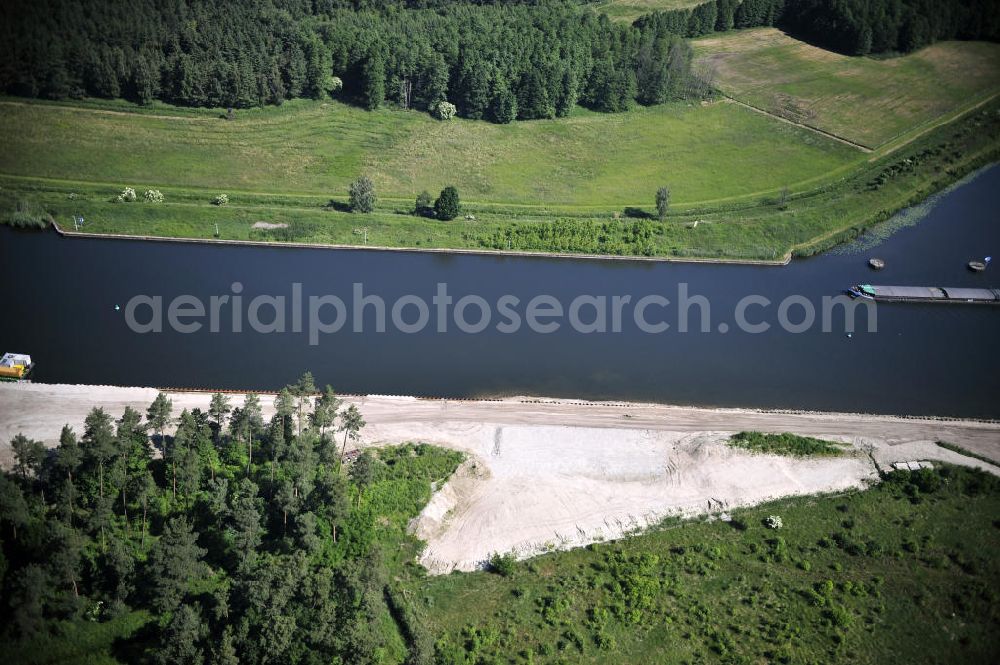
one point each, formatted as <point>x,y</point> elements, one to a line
<point>865,100</point>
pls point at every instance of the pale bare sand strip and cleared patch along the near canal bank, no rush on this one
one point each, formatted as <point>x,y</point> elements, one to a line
<point>545,474</point>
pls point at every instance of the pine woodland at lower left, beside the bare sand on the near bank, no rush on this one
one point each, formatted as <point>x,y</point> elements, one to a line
<point>232,540</point>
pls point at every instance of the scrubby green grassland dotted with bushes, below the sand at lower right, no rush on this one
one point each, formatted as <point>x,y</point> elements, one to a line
<point>903,573</point>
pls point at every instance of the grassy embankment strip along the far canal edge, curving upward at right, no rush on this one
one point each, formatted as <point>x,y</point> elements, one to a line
<point>759,227</point>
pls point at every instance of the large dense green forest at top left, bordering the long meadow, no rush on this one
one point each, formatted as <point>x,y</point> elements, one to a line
<point>498,61</point>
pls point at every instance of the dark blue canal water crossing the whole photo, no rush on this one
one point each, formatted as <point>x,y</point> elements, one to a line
<point>59,297</point>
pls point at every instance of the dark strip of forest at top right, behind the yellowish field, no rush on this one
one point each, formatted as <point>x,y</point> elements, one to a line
<point>854,27</point>
